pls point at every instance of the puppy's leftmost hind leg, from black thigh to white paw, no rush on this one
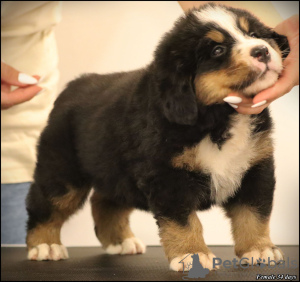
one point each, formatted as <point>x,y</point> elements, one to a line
<point>60,187</point>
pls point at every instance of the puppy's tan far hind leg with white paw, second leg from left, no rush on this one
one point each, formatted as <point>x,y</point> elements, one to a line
<point>112,227</point>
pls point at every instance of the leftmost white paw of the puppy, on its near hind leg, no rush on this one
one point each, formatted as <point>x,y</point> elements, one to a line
<point>46,252</point>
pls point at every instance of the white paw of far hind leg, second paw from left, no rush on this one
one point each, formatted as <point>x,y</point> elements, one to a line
<point>129,246</point>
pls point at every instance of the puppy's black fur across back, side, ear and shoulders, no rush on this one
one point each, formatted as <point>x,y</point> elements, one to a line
<point>118,133</point>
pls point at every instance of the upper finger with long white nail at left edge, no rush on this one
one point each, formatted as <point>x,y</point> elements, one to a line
<point>11,76</point>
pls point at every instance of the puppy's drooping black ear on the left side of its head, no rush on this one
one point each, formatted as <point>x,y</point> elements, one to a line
<point>175,65</point>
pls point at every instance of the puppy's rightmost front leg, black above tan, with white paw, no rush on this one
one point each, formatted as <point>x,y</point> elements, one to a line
<point>249,211</point>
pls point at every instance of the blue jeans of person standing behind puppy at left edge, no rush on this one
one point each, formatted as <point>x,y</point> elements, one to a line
<point>13,212</point>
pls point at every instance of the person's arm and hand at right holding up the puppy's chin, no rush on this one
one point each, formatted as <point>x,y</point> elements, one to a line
<point>290,74</point>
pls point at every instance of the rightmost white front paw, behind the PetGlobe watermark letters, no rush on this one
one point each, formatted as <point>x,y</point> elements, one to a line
<point>272,255</point>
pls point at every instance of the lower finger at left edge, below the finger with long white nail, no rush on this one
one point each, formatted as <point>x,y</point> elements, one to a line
<point>20,95</point>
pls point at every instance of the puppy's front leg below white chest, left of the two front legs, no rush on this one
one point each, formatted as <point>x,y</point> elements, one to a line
<point>174,197</point>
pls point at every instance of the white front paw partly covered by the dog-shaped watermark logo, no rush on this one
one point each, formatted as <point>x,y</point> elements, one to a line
<point>205,260</point>
